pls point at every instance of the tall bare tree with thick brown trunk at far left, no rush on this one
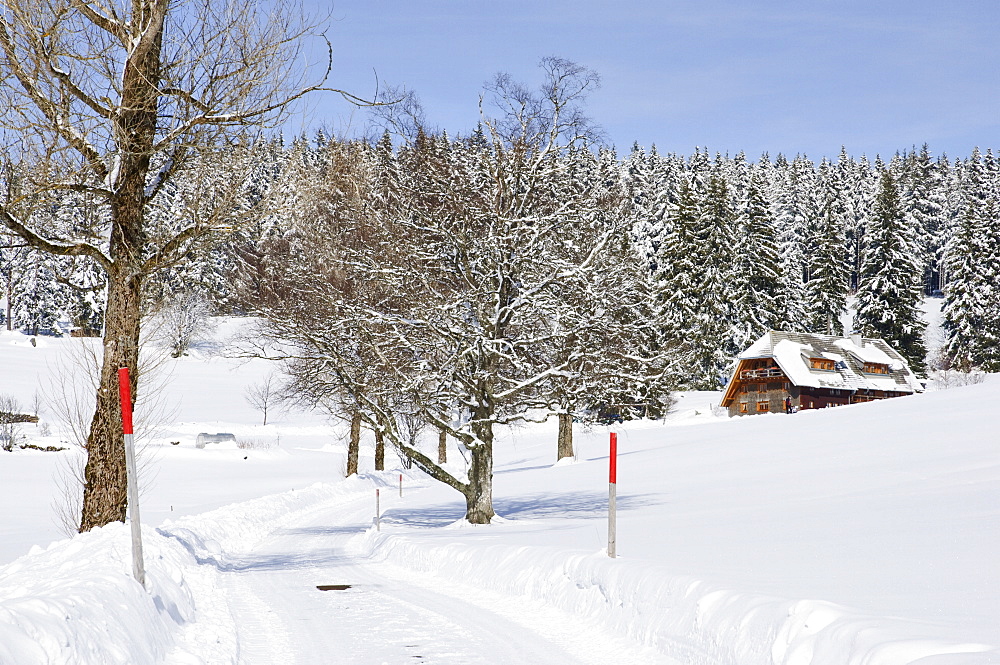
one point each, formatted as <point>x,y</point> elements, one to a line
<point>111,102</point>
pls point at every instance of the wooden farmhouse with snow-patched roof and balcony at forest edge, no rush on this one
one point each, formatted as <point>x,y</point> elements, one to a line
<point>815,371</point>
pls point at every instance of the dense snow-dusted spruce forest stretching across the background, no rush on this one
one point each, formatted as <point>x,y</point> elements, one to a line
<point>709,250</point>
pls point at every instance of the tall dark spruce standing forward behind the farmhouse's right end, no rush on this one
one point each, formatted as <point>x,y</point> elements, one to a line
<point>890,282</point>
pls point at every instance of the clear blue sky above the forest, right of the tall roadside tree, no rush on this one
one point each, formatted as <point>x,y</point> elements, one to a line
<point>792,77</point>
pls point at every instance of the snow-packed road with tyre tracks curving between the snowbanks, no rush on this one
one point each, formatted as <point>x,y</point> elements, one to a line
<point>389,615</point>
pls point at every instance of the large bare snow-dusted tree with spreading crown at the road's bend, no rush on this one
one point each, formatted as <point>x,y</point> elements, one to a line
<point>457,278</point>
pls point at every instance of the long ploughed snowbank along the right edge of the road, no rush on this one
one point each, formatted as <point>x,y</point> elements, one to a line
<point>687,619</point>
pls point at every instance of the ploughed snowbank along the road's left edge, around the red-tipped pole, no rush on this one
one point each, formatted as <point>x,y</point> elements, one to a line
<point>77,602</point>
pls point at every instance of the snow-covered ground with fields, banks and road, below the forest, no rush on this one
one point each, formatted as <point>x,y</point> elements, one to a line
<point>865,534</point>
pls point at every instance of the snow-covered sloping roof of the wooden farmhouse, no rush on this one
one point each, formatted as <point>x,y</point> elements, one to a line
<point>792,352</point>
